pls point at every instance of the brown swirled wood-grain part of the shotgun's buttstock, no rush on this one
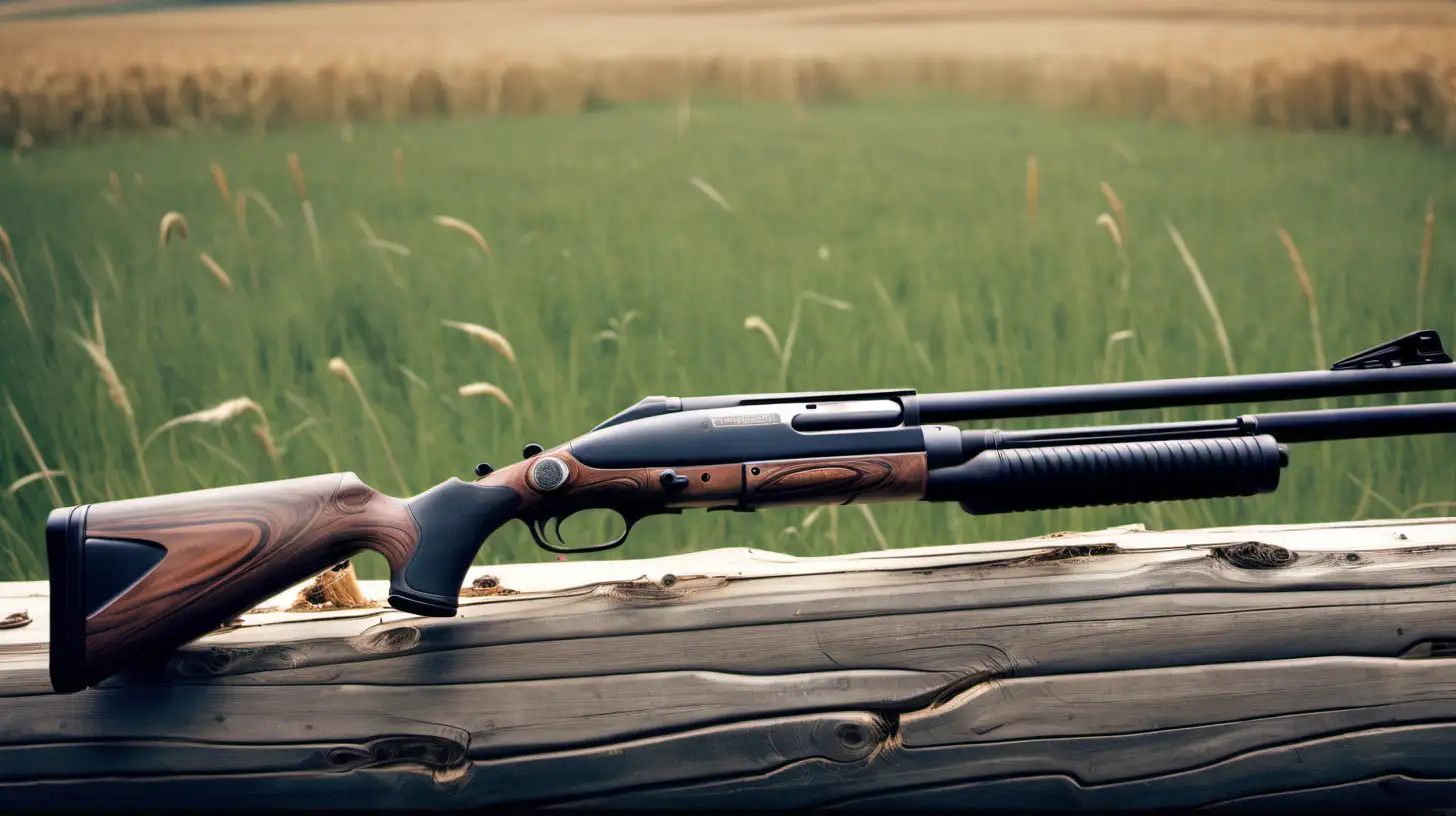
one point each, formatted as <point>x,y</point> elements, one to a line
<point>231,549</point>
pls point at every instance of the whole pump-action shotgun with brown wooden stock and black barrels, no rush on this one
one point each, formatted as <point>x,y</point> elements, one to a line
<point>135,579</point>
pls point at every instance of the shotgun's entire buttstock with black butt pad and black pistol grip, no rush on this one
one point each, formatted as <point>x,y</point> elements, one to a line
<point>135,579</point>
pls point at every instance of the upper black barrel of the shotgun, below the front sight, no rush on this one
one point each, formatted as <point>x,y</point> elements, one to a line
<point>1176,393</point>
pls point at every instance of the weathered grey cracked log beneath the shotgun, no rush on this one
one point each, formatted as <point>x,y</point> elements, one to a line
<point>1119,670</point>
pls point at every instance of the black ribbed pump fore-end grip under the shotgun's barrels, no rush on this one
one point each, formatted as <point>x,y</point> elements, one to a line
<point>1128,473</point>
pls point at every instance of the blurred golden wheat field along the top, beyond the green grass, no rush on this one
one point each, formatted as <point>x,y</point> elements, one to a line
<point>1369,66</point>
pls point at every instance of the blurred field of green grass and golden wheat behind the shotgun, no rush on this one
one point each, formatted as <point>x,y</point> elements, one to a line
<point>256,241</point>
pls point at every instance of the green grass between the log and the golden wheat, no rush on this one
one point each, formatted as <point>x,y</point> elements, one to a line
<point>919,203</point>
